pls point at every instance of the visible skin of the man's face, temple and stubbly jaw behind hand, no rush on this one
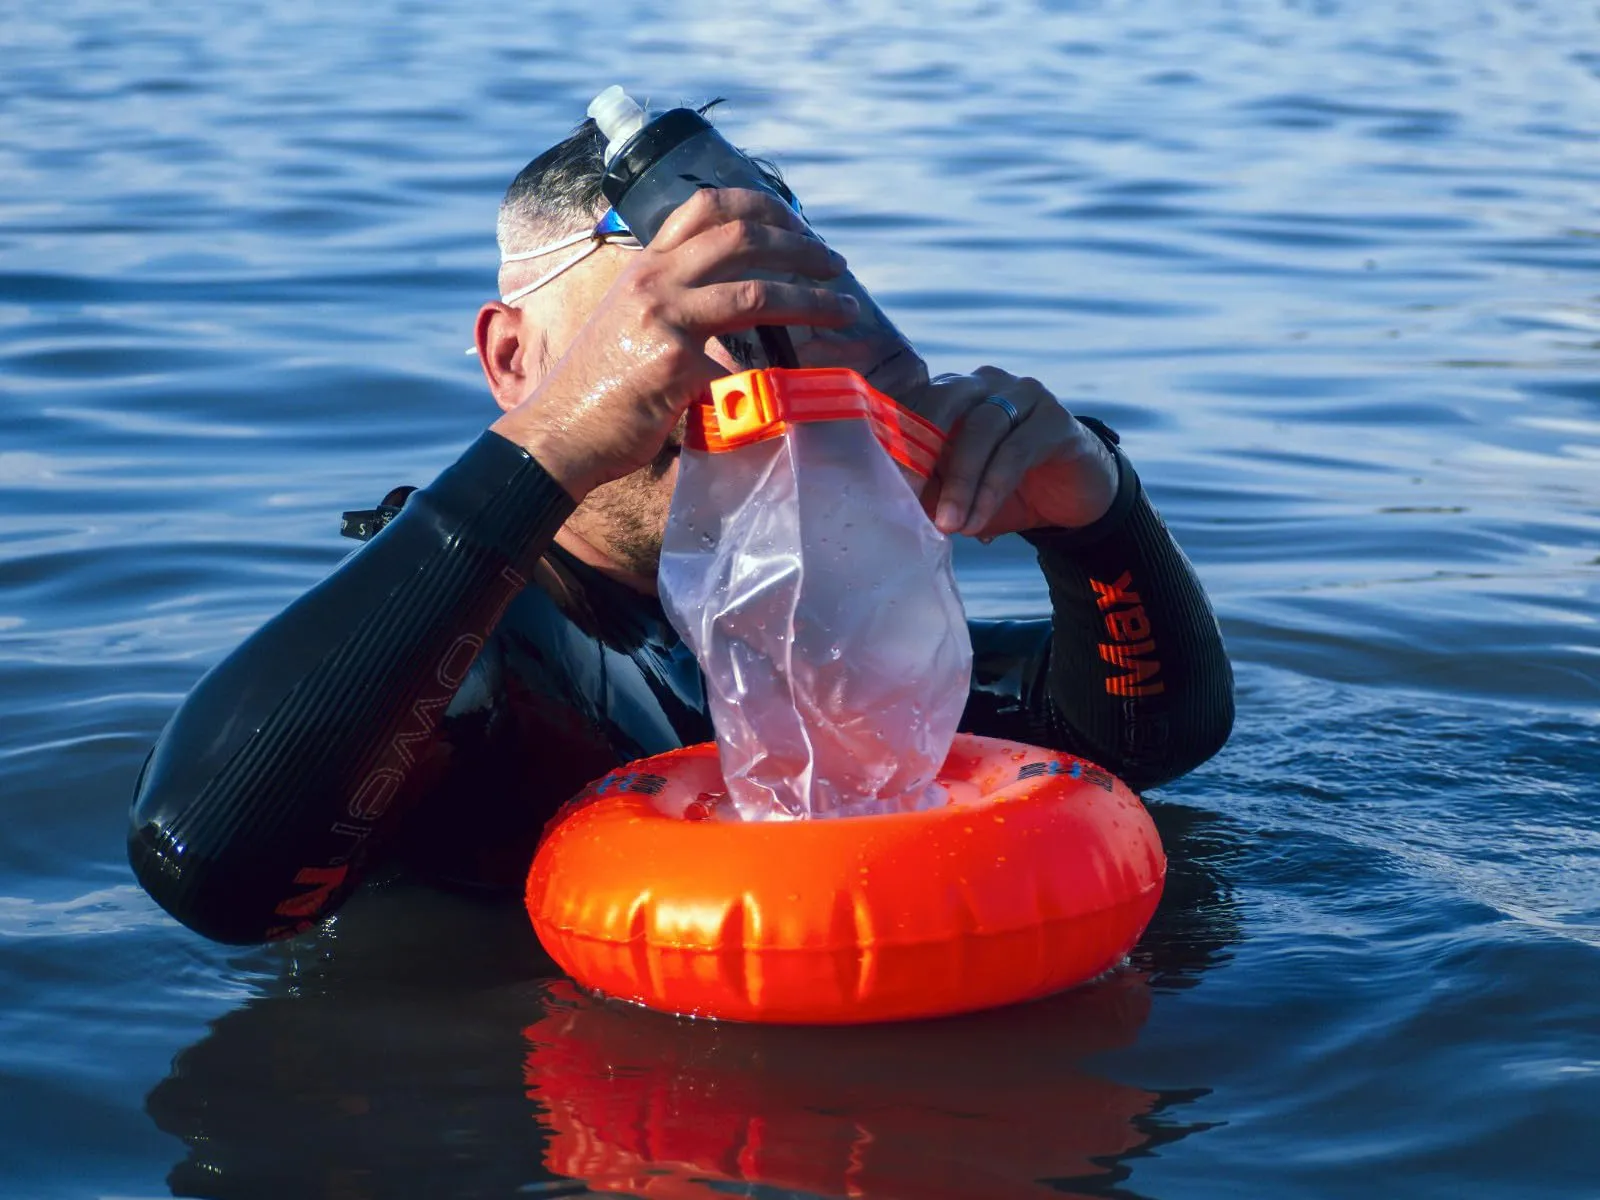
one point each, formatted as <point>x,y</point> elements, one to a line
<point>623,519</point>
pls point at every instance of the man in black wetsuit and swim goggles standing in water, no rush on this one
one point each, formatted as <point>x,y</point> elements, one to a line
<point>500,646</point>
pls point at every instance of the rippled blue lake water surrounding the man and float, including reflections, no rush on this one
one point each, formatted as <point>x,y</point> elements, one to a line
<point>1332,271</point>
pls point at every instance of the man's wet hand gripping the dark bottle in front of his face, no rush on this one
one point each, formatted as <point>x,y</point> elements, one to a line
<point>609,406</point>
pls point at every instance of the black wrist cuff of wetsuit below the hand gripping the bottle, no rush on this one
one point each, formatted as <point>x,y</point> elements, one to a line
<point>511,503</point>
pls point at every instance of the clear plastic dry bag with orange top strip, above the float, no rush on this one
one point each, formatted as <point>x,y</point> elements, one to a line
<point>817,594</point>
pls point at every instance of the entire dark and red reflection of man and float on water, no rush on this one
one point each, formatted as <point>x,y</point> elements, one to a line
<point>343,1057</point>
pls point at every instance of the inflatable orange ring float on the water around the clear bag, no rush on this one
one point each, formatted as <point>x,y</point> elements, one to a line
<point>1041,874</point>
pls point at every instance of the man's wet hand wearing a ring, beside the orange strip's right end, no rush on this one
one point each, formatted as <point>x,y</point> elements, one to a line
<point>993,479</point>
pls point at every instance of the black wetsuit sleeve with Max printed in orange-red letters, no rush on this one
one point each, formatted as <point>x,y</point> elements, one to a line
<point>1130,671</point>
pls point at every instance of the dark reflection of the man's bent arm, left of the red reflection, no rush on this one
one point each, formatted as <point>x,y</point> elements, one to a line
<point>375,1060</point>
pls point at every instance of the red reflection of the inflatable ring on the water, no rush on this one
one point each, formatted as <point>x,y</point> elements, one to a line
<point>986,1106</point>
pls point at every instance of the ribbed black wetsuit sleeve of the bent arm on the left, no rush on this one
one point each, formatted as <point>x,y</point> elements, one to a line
<point>282,769</point>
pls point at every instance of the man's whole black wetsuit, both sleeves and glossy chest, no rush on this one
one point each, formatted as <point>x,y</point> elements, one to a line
<point>436,698</point>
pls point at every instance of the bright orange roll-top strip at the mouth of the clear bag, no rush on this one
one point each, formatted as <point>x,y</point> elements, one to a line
<point>758,406</point>
